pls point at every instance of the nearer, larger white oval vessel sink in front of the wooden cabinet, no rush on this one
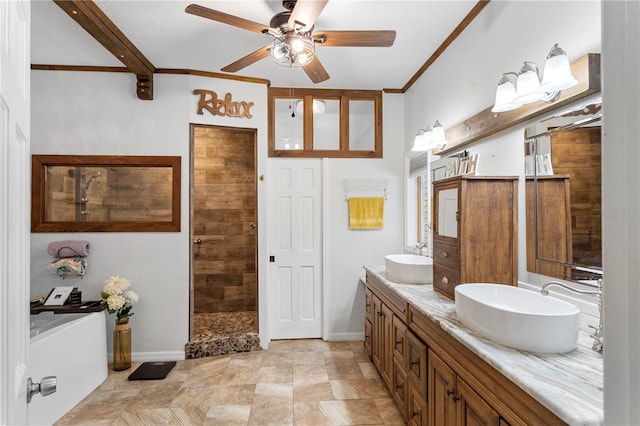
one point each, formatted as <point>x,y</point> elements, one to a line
<point>518,318</point>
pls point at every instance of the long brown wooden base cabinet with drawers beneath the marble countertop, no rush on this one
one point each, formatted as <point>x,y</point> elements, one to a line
<point>434,379</point>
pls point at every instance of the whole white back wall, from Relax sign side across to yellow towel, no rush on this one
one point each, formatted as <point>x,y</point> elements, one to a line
<point>102,115</point>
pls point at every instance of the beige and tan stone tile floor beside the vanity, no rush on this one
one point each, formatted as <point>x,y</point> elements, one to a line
<point>301,382</point>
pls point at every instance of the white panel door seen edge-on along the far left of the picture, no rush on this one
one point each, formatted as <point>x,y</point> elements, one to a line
<point>14,209</point>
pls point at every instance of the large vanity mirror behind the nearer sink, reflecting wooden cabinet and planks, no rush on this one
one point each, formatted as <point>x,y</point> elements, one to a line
<point>563,194</point>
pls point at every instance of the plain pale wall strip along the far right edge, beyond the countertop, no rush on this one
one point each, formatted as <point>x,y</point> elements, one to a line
<point>621,199</point>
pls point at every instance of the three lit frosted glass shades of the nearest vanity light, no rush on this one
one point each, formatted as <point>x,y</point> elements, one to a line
<point>527,89</point>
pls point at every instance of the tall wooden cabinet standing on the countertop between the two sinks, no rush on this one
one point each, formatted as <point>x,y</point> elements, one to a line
<point>475,231</point>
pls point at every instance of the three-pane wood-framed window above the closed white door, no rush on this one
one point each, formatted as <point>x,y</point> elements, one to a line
<point>325,123</point>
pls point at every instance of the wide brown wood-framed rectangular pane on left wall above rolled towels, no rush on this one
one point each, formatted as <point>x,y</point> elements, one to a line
<point>98,193</point>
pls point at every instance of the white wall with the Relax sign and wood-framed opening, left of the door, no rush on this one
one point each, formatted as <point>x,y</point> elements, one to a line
<point>99,114</point>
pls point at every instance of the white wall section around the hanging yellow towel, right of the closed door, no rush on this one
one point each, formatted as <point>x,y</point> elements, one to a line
<point>349,250</point>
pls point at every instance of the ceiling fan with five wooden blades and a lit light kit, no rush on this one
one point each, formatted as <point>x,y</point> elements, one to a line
<point>293,38</point>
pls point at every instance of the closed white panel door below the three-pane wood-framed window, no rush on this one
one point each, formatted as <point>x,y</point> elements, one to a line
<point>295,211</point>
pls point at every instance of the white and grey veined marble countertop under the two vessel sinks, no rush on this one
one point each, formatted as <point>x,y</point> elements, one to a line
<point>570,385</point>
